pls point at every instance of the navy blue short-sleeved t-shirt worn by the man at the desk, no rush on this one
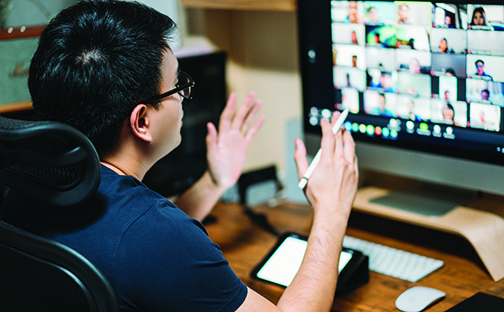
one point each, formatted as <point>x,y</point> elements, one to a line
<point>155,256</point>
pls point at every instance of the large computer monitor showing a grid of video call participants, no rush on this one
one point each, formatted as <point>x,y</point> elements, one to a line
<point>424,82</point>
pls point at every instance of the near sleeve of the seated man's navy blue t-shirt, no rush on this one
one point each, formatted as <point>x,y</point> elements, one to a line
<point>167,262</point>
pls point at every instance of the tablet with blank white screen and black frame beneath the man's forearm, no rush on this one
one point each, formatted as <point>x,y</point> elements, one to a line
<point>284,260</point>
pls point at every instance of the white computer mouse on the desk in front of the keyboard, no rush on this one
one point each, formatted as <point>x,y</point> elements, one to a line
<point>418,298</point>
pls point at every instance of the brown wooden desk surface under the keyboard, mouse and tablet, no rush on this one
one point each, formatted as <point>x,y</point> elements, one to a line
<point>244,244</point>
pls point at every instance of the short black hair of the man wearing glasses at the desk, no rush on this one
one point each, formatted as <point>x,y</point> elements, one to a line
<point>97,60</point>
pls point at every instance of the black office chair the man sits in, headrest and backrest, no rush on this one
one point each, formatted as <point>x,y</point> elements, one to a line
<point>56,164</point>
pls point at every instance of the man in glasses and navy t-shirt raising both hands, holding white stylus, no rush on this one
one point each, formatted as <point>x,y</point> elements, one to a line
<point>106,68</point>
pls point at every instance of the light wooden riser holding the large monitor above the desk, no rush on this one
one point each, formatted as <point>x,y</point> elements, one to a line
<point>479,219</point>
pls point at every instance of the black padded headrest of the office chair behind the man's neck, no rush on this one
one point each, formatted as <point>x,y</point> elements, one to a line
<point>50,160</point>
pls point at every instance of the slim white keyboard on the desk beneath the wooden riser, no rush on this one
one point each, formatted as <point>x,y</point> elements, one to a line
<point>394,262</point>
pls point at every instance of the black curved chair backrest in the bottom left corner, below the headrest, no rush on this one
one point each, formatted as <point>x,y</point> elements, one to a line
<point>38,274</point>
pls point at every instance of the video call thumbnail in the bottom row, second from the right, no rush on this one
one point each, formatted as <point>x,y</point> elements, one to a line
<point>450,113</point>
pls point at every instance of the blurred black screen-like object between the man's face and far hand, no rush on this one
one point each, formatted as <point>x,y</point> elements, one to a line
<point>176,172</point>
